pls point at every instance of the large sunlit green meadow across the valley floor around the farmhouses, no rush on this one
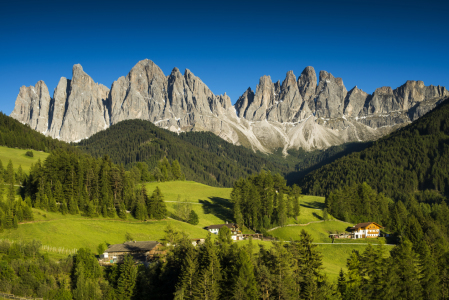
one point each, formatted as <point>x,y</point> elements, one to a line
<point>212,207</point>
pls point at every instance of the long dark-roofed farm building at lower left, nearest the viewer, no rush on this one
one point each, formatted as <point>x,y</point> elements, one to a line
<point>142,252</point>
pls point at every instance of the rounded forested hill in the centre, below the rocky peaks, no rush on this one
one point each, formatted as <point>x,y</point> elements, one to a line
<point>203,157</point>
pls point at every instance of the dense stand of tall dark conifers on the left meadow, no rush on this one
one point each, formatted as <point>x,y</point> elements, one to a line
<point>71,182</point>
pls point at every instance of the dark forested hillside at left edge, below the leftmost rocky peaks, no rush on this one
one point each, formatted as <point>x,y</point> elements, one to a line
<point>14,134</point>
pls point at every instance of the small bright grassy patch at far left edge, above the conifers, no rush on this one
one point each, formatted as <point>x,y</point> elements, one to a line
<point>18,157</point>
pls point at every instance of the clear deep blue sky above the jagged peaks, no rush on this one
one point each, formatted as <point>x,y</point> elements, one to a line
<point>228,44</point>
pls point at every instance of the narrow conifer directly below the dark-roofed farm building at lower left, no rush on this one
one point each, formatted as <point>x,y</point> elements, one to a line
<point>127,279</point>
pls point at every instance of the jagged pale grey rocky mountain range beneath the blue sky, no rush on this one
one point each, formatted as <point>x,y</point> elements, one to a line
<point>300,112</point>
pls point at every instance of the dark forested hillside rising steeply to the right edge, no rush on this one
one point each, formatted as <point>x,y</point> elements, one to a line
<point>413,158</point>
